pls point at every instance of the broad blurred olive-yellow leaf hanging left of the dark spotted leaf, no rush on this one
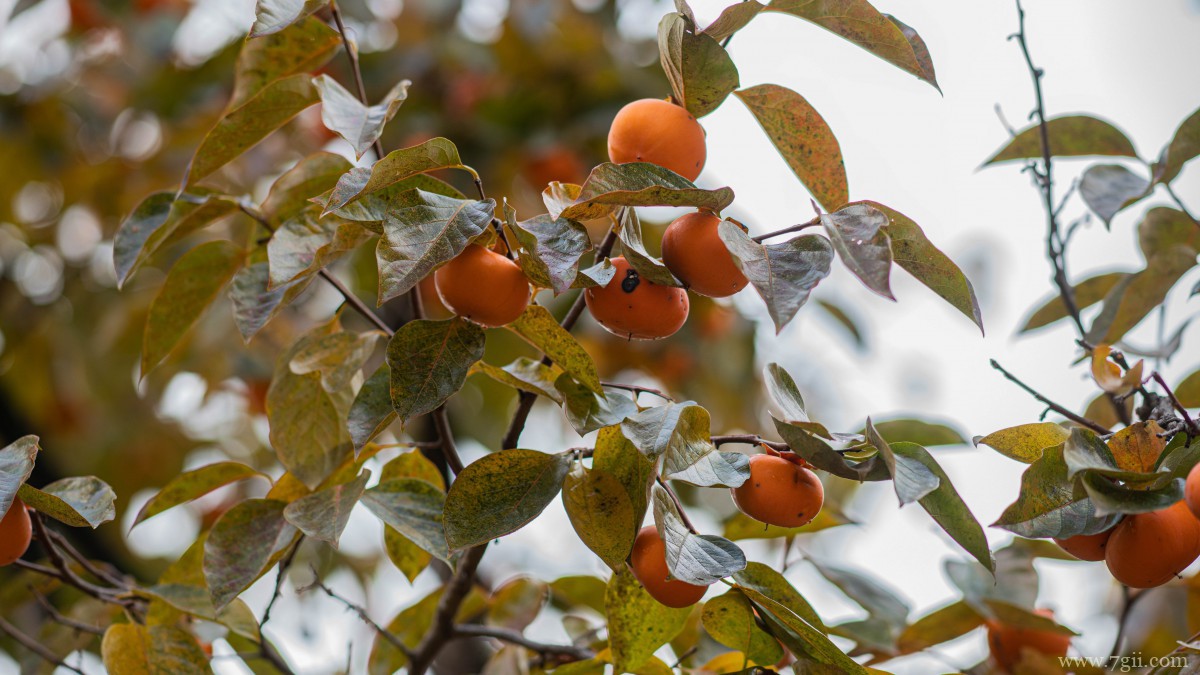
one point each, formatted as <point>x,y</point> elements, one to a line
<point>308,422</point>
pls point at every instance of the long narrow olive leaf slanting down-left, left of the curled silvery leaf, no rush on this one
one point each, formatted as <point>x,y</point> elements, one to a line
<point>254,121</point>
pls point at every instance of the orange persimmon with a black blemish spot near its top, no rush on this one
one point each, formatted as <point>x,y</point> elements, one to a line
<point>637,308</point>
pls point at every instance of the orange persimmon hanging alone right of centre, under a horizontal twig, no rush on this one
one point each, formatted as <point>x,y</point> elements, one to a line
<point>779,493</point>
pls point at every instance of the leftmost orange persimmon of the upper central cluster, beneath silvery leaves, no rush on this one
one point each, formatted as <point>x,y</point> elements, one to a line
<point>483,286</point>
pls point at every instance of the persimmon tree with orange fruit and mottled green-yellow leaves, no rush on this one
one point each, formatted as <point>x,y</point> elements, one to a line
<point>364,409</point>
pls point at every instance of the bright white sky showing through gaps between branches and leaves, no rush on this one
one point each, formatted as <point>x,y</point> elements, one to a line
<point>908,147</point>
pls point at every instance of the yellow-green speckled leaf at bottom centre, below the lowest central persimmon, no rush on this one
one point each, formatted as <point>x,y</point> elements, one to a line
<point>638,624</point>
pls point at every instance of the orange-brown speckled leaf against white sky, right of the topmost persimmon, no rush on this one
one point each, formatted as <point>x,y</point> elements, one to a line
<point>802,138</point>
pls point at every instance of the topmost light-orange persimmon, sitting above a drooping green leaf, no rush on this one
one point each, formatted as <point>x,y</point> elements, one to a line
<point>658,132</point>
